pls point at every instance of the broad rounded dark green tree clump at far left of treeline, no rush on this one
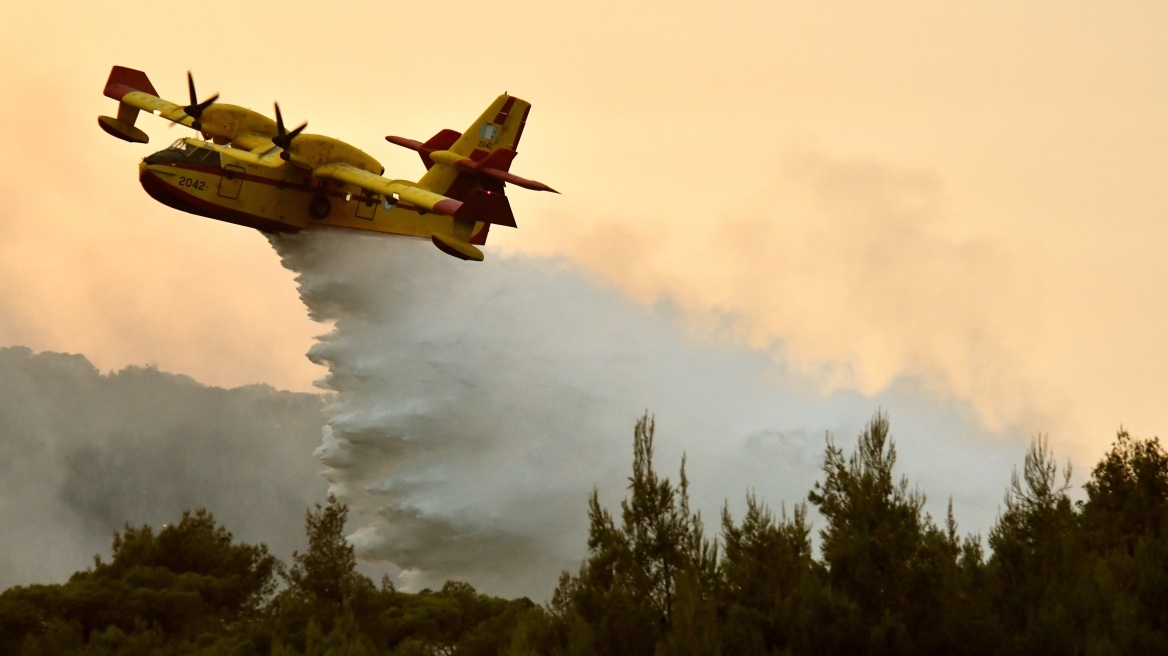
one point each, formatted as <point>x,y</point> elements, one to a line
<point>187,581</point>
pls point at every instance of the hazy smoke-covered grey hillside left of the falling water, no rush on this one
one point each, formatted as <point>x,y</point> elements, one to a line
<point>84,453</point>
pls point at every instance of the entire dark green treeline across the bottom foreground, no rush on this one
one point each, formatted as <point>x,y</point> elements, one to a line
<point>1058,577</point>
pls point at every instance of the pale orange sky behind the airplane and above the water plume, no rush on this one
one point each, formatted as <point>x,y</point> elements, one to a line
<point>968,194</point>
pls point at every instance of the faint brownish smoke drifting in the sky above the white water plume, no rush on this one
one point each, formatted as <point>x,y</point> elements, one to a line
<point>858,271</point>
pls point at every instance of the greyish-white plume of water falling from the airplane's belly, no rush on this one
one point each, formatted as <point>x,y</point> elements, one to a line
<point>478,406</point>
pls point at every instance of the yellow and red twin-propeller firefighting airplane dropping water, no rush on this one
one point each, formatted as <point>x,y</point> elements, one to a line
<point>252,171</point>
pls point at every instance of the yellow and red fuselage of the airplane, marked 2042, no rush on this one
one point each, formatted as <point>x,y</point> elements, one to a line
<point>207,180</point>
